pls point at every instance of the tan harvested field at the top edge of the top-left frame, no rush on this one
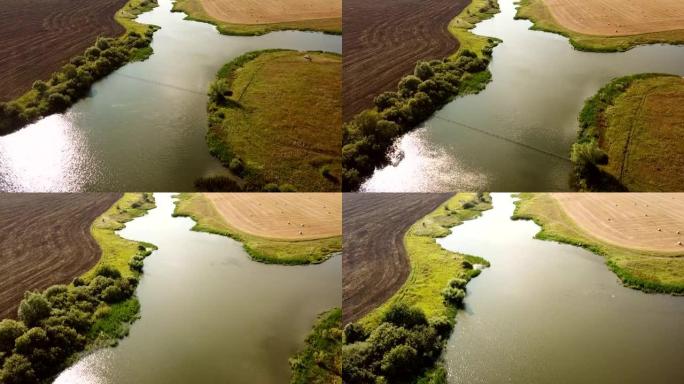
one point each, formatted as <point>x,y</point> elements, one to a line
<point>271,11</point>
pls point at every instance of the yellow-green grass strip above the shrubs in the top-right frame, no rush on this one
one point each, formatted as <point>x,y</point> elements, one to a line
<point>461,26</point>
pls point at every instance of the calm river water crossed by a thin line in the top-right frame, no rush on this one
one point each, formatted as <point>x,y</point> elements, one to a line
<point>538,89</point>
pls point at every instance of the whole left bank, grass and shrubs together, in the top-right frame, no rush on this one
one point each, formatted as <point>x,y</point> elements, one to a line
<point>368,137</point>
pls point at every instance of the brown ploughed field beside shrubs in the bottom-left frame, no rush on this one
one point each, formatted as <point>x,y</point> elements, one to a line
<point>44,240</point>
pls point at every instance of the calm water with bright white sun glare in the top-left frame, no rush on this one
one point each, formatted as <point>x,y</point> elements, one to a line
<point>143,127</point>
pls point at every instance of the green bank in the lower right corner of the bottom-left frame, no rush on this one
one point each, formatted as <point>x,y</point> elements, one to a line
<point>320,361</point>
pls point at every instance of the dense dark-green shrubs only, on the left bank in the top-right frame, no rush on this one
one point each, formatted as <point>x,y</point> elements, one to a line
<point>369,136</point>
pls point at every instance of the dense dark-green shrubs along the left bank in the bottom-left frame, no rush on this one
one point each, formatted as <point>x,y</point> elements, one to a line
<point>55,324</point>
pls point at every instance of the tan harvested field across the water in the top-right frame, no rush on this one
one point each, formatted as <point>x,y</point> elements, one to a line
<point>618,17</point>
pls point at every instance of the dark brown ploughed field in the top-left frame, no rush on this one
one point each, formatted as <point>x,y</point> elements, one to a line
<point>38,37</point>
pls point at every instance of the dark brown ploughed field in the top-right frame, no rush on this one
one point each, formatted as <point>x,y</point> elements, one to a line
<point>384,39</point>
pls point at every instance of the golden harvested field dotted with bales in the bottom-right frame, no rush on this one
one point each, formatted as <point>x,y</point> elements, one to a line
<point>645,221</point>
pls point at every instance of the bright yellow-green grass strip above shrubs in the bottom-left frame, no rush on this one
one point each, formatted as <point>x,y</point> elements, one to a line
<point>117,251</point>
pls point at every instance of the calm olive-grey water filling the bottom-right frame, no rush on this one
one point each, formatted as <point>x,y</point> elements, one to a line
<point>552,313</point>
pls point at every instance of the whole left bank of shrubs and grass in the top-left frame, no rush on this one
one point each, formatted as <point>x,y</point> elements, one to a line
<point>68,85</point>
